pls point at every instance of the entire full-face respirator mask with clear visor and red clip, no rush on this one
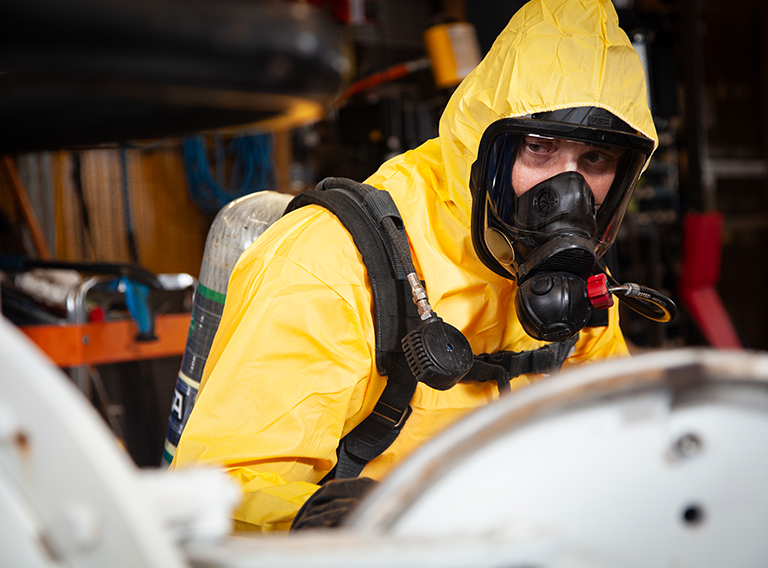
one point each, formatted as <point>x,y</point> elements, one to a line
<point>549,237</point>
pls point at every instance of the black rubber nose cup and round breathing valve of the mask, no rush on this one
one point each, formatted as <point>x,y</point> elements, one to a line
<point>556,223</point>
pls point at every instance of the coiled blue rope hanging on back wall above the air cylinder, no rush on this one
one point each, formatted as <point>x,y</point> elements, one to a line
<point>252,169</point>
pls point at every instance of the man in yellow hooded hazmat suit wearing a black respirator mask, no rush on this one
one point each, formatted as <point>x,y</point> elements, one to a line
<point>292,368</point>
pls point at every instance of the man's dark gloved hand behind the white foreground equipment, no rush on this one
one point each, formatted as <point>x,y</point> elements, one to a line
<point>331,504</point>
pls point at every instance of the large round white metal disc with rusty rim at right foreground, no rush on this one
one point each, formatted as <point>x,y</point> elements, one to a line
<point>592,459</point>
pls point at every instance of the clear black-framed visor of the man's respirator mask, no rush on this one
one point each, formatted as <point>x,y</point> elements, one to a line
<point>505,231</point>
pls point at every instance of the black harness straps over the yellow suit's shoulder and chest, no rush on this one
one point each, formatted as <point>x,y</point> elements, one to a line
<point>360,208</point>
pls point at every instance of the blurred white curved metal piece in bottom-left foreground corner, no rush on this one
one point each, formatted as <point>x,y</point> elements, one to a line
<point>74,497</point>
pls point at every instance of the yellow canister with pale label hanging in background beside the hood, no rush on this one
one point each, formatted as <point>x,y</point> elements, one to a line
<point>453,50</point>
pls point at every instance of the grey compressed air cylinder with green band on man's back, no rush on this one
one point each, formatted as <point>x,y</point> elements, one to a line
<point>235,227</point>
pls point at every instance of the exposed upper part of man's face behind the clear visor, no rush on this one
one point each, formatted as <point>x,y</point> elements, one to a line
<point>540,158</point>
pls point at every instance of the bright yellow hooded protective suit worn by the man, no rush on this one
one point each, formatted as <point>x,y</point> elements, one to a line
<point>292,368</point>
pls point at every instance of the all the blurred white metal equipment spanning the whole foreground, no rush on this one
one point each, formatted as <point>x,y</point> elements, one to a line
<point>655,461</point>
